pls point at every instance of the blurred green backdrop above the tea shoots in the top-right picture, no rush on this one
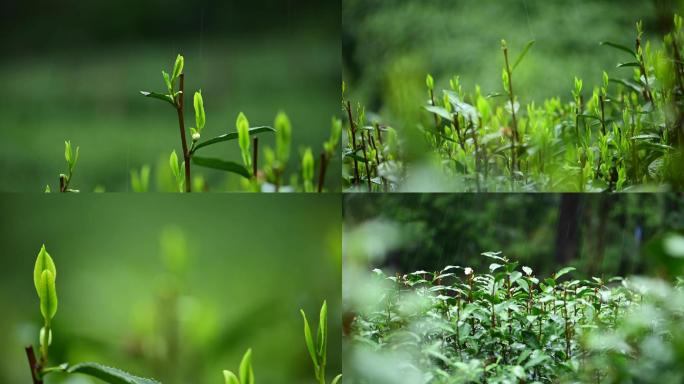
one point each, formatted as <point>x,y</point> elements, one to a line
<point>390,45</point>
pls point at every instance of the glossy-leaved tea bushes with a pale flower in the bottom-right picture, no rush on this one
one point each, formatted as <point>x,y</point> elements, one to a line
<point>508,325</point>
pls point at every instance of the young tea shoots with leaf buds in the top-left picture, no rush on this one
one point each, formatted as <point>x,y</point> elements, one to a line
<point>254,179</point>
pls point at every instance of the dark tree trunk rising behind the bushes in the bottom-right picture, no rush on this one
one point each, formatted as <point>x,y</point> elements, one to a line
<point>568,228</point>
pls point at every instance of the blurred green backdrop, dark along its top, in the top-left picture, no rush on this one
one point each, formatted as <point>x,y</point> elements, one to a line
<point>74,69</point>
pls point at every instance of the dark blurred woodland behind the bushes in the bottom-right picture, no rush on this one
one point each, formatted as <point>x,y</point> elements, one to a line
<point>601,235</point>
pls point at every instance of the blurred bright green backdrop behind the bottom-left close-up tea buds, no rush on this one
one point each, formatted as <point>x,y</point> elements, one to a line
<point>176,289</point>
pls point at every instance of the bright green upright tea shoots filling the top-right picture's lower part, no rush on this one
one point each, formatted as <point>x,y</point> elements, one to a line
<point>623,135</point>
